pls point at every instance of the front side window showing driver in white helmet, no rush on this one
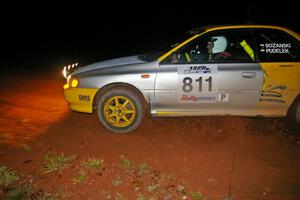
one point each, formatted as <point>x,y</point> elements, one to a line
<point>218,46</point>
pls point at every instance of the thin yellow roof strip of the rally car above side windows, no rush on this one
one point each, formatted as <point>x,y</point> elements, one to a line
<point>202,29</point>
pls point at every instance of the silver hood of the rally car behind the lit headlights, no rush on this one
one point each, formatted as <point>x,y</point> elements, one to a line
<point>110,63</point>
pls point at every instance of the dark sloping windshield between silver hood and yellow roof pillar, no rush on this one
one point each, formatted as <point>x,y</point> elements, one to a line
<point>155,54</point>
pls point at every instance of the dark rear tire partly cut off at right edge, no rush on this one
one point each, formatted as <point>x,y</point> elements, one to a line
<point>294,114</point>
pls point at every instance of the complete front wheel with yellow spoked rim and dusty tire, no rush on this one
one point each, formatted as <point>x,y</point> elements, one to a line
<point>120,110</point>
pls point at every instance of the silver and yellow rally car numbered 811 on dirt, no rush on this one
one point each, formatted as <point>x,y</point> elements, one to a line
<point>243,70</point>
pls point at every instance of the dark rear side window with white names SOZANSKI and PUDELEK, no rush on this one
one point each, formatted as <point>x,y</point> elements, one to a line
<point>276,46</point>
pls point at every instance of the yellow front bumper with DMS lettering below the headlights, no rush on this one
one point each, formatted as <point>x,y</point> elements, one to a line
<point>80,99</point>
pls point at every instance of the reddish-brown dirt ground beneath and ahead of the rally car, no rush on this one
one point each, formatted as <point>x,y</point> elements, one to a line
<point>253,158</point>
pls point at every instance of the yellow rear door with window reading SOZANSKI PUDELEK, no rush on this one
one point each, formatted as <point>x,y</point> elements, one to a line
<point>279,54</point>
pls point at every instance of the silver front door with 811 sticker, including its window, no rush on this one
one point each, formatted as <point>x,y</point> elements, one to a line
<point>216,73</point>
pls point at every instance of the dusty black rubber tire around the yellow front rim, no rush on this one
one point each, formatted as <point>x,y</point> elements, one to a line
<point>136,100</point>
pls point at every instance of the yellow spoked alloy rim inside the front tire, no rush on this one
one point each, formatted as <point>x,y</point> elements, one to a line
<point>119,111</point>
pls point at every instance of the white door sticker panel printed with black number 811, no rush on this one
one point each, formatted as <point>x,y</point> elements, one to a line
<point>199,84</point>
